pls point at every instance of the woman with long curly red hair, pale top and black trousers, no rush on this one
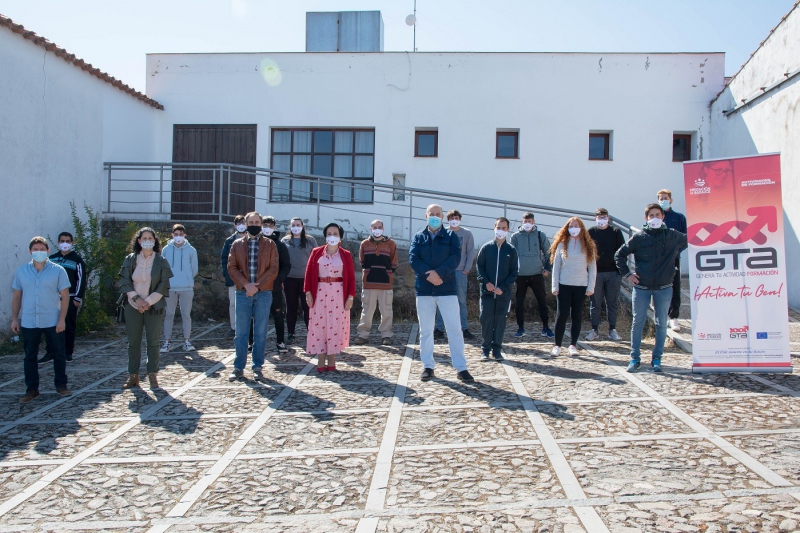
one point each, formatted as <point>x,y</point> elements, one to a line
<point>573,255</point>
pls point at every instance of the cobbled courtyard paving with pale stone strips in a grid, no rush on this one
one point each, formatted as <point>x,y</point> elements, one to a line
<point>561,445</point>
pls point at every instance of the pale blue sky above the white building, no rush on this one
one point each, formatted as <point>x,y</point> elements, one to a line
<point>115,35</point>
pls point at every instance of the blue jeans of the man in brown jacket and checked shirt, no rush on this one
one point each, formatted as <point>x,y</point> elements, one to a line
<point>255,308</point>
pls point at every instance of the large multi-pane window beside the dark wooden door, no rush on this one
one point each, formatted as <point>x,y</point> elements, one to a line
<point>338,153</point>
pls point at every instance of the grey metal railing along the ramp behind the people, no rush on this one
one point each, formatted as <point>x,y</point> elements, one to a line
<point>194,192</point>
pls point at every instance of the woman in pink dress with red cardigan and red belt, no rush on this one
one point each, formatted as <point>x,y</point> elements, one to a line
<point>330,287</point>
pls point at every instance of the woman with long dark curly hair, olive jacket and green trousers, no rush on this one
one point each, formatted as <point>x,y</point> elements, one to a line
<point>144,283</point>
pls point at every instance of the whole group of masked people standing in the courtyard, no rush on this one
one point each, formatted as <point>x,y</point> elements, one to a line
<point>284,277</point>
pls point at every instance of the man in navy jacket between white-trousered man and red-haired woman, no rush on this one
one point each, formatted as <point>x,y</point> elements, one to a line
<point>498,267</point>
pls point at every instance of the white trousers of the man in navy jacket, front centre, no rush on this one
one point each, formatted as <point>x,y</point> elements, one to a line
<point>426,312</point>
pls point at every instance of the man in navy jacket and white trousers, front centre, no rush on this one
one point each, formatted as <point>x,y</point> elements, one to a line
<point>434,256</point>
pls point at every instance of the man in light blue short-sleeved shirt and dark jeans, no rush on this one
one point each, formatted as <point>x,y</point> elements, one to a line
<point>41,293</point>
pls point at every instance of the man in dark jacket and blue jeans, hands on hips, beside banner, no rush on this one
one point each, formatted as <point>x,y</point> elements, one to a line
<point>655,250</point>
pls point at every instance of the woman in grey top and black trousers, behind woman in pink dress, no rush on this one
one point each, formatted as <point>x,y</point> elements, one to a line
<point>300,246</point>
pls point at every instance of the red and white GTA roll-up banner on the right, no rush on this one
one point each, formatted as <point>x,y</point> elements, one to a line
<point>737,265</point>
